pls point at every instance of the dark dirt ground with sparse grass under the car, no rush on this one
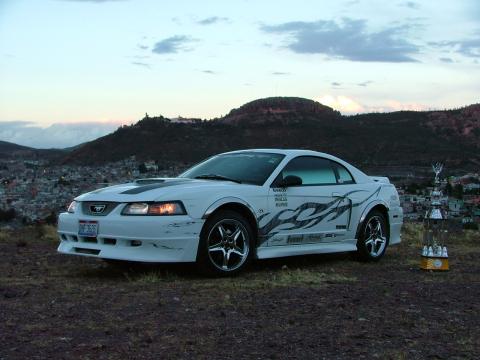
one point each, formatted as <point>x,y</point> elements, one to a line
<point>318,307</point>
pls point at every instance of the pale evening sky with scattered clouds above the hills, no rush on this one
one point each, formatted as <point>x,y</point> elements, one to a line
<point>74,70</point>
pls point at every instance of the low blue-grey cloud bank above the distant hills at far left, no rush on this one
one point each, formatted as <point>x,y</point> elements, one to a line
<point>59,135</point>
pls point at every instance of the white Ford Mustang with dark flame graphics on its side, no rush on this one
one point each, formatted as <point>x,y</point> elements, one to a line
<point>234,207</point>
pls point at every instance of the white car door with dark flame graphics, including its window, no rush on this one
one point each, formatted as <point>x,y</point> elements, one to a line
<point>317,210</point>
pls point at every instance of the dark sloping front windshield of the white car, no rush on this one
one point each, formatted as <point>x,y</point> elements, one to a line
<point>245,167</point>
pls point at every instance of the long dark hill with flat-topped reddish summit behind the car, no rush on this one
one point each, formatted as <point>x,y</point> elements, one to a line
<point>406,138</point>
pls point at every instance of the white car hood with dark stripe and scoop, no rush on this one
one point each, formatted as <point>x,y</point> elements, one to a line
<point>158,190</point>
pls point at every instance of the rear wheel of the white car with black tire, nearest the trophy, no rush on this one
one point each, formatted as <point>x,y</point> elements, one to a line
<point>373,237</point>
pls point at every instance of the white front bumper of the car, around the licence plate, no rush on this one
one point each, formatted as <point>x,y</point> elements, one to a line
<point>133,238</point>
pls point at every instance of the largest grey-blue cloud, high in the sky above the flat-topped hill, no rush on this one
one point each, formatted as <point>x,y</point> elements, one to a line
<point>348,39</point>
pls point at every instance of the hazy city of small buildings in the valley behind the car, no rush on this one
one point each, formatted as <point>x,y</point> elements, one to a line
<point>32,191</point>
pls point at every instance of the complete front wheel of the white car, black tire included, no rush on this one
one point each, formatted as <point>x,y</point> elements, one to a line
<point>226,244</point>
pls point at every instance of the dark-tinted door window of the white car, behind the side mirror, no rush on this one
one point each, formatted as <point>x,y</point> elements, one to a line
<point>312,170</point>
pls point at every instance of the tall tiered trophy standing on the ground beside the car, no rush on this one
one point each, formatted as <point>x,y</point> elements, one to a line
<point>435,229</point>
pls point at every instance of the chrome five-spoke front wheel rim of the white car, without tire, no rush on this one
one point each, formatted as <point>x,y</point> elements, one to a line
<point>228,244</point>
